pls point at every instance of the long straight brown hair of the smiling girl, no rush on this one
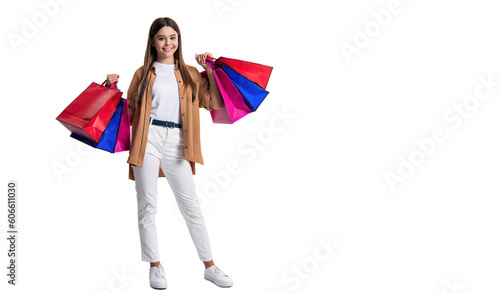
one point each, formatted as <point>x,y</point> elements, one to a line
<point>151,53</point>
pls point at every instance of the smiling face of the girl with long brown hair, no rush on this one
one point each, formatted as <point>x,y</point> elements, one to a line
<point>165,41</point>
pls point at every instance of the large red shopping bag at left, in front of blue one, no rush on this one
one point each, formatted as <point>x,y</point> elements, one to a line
<point>89,114</point>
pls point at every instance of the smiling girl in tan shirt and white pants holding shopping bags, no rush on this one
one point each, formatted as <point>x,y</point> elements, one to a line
<point>164,98</point>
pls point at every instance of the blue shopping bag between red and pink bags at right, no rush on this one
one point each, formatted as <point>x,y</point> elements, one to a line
<point>251,92</point>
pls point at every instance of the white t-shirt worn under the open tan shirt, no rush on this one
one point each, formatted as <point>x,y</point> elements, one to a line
<point>165,105</point>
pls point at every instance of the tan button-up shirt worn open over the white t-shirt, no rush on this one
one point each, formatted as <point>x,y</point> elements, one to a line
<point>191,99</point>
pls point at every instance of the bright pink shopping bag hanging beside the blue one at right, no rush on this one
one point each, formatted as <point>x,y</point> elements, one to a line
<point>234,107</point>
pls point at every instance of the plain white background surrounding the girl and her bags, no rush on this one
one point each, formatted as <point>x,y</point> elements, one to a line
<point>318,177</point>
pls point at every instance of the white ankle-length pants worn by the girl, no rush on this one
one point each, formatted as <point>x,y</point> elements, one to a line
<point>165,149</point>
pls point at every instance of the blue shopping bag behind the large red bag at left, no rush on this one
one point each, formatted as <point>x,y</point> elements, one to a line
<point>110,134</point>
